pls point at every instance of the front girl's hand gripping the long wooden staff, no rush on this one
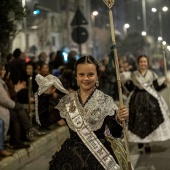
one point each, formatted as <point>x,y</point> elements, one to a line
<point>123,114</point>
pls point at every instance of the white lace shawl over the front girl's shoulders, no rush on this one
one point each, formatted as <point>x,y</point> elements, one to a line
<point>94,112</point>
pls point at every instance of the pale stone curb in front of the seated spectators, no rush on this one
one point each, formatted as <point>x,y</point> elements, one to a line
<point>24,156</point>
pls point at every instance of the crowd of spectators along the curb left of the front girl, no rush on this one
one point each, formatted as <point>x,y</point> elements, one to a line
<point>17,101</point>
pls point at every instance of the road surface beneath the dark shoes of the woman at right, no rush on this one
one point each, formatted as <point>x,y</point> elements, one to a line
<point>157,159</point>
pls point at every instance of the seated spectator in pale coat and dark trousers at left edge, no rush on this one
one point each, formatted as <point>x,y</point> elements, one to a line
<point>13,111</point>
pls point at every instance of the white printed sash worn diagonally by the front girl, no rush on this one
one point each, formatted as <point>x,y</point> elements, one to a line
<point>90,139</point>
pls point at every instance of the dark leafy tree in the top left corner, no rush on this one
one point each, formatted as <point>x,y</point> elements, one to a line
<point>11,14</point>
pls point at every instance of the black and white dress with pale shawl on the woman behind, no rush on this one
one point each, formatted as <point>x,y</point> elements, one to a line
<point>148,113</point>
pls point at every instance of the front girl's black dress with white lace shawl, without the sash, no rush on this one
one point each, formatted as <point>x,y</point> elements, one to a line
<point>98,111</point>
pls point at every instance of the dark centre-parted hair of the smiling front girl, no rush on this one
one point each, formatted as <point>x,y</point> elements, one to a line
<point>88,60</point>
